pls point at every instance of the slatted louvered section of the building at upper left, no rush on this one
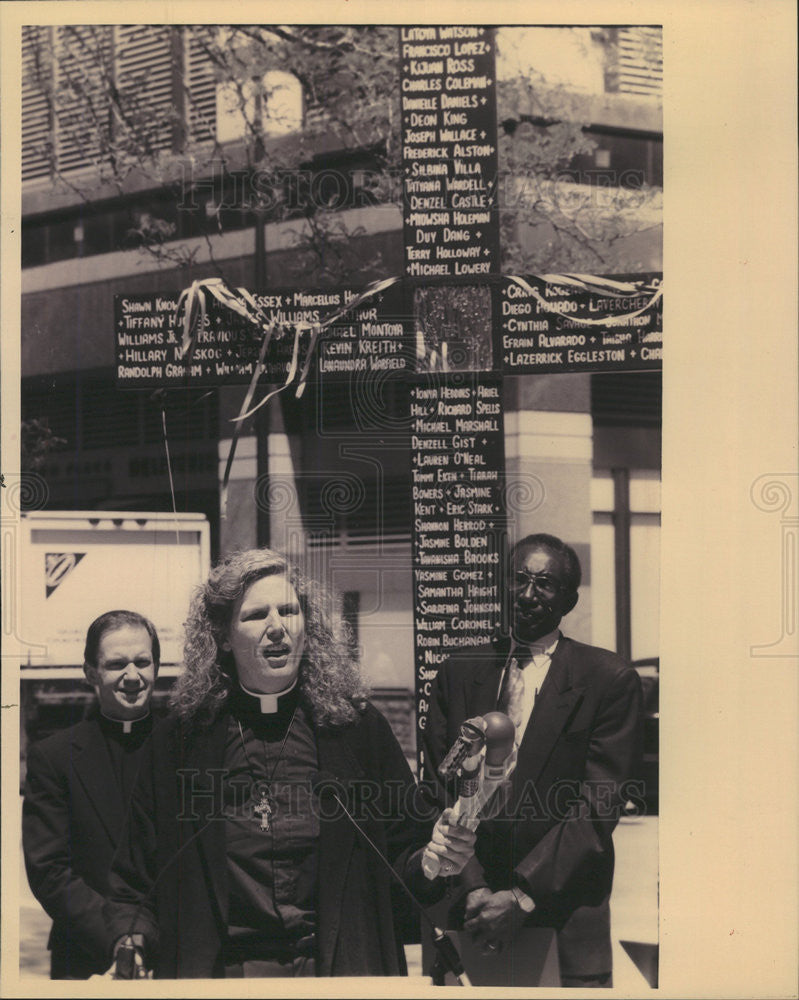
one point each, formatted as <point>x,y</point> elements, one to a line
<point>96,93</point>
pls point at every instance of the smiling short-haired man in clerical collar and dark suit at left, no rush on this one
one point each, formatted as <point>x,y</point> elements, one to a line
<point>77,791</point>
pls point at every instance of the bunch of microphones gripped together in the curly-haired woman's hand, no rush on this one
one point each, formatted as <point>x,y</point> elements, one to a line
<point>484,756</point>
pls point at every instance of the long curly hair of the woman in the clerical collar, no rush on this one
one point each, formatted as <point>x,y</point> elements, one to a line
<point>329,678</point>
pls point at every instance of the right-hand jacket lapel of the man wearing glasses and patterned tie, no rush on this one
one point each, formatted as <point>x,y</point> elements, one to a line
<point>557,701</point>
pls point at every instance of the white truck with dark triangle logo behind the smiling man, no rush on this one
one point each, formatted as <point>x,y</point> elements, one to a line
<point>75,565</point>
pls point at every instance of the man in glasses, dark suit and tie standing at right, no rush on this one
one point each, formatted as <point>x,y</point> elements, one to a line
<point>546,860</point>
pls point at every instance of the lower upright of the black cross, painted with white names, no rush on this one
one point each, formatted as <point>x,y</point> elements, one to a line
<point>459,520</point>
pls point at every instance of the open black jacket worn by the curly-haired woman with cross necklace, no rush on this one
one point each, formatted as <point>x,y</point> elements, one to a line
<point>170,877</point>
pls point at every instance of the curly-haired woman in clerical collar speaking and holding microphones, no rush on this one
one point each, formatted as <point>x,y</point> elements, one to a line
<point>232,864</point>
